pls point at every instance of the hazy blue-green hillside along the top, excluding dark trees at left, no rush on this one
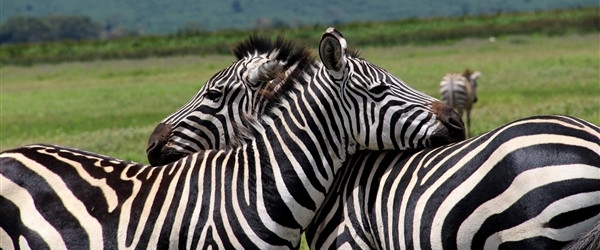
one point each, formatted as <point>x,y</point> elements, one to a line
<point>163,17</point>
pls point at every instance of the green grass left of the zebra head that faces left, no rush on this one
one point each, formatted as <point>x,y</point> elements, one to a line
<point>109,107</point>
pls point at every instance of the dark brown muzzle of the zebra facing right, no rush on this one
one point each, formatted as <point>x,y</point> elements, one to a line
<point>453,129</point>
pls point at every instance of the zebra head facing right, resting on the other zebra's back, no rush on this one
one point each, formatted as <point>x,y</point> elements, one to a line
<point>382,101</point>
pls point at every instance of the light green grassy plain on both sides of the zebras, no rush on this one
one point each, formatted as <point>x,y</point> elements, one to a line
<point>111,107</point>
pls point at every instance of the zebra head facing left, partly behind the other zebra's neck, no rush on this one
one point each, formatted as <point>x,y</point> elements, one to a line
<point>215,118</point>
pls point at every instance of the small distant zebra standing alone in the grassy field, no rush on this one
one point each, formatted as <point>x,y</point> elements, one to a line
<point>459,91</point>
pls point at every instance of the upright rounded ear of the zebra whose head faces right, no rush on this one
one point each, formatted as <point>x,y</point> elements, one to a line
<point>332,50</point>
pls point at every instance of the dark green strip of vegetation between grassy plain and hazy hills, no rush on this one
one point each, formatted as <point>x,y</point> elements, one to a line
<point>410,31</point>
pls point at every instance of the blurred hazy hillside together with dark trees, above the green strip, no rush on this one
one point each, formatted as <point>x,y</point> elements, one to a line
<point>40,20</point>
